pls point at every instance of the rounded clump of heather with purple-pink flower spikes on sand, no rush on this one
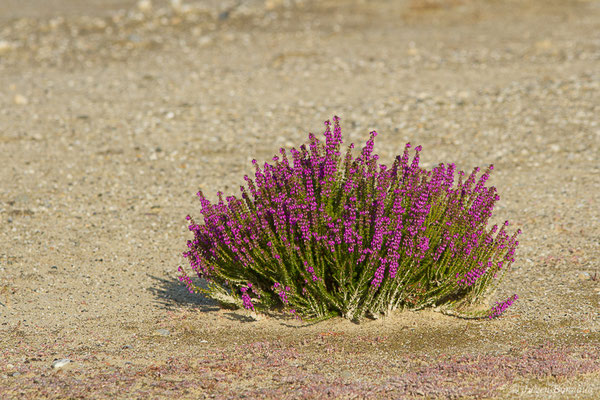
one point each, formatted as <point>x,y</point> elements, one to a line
<point>321,235</point>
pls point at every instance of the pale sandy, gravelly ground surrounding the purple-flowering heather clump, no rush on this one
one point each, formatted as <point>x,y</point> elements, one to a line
<point>112,116</point>
